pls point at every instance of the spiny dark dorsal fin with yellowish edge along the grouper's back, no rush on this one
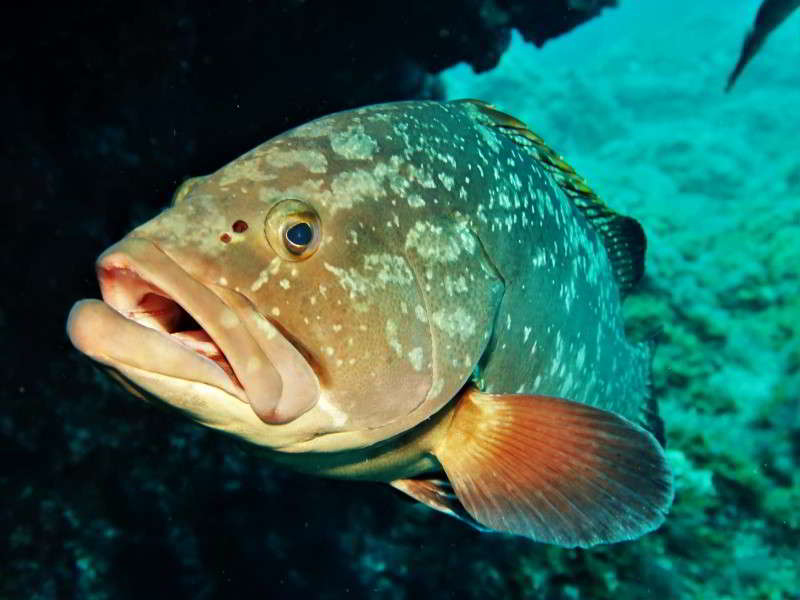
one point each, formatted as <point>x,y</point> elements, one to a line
<point>623,237</point>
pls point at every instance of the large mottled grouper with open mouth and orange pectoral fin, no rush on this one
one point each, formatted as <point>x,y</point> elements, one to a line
<point>421,293</point>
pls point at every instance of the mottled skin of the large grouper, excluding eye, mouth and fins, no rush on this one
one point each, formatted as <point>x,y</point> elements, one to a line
<point>448,254</point>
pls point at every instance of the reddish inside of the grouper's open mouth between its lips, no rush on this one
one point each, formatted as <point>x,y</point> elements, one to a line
<point>132,296</point>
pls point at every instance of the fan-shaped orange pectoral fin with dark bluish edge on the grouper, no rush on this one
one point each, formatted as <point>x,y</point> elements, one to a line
<point>553,470</point>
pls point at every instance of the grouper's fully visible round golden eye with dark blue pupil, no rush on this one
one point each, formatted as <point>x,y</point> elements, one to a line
<point>293,229</point>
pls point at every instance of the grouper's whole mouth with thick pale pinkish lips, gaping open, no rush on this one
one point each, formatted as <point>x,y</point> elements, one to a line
<point>155,317</point>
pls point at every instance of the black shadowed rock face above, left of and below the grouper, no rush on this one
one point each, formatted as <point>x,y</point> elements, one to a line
<point>107,108</point>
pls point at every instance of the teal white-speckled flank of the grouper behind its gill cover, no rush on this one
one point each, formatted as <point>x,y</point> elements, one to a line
<point>559,329</point>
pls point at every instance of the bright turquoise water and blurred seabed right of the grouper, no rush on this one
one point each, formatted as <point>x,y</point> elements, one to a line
<point>634,101</point>
